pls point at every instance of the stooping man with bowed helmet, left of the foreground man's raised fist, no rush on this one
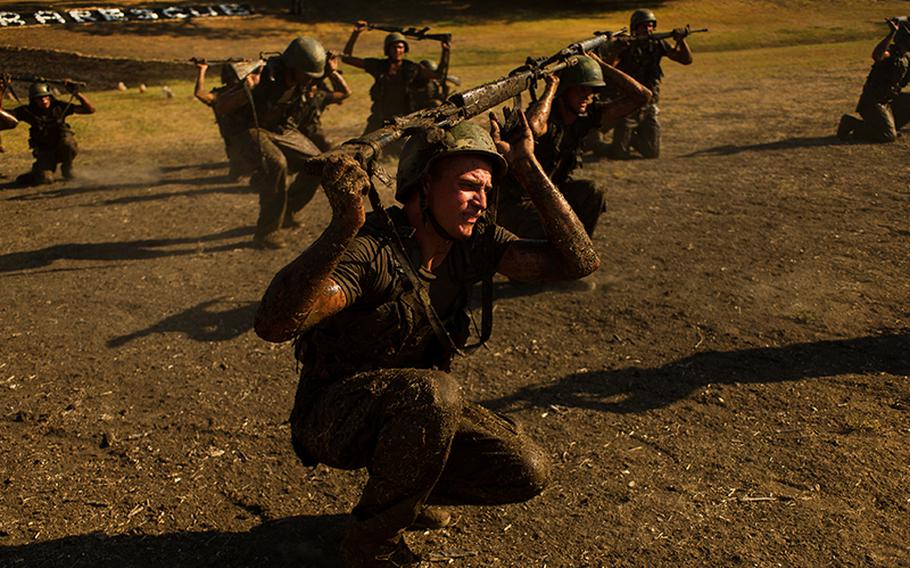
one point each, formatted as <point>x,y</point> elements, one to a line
<point>266,108</point>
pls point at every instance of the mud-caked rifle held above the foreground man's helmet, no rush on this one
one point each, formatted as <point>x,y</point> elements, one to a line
<point>459,107</point>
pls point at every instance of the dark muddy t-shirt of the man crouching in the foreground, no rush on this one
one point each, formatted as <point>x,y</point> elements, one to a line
<point>384,325</point>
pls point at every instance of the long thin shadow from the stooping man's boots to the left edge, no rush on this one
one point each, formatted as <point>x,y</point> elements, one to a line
<point>127,250</point>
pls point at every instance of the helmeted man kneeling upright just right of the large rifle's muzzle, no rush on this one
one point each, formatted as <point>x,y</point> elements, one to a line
<point>639,55</point>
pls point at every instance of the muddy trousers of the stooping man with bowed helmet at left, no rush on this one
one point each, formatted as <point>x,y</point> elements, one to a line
<point>272,159</point>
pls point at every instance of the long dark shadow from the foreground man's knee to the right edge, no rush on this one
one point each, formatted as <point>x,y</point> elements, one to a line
<point>637,389</point>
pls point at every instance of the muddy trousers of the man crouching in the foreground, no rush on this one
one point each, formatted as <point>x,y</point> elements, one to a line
<point>421,444</point>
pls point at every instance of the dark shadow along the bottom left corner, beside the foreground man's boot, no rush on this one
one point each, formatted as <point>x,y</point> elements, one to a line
<point>311,541</point>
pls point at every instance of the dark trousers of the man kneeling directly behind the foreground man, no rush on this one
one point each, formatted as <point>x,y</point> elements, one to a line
<point>584,197</point>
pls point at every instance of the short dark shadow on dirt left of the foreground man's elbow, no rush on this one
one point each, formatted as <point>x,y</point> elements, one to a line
<point>200,323</point>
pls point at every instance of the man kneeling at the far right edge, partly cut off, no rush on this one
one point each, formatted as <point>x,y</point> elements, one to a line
<point>883,107</point>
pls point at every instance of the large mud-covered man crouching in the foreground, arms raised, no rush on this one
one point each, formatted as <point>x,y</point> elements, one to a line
<point>377,307</point>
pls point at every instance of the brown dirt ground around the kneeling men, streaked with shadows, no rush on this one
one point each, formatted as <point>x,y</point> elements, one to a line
<point>734,392</point>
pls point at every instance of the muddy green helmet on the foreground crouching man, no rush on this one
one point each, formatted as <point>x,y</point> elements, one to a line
<point>419,155</point>
